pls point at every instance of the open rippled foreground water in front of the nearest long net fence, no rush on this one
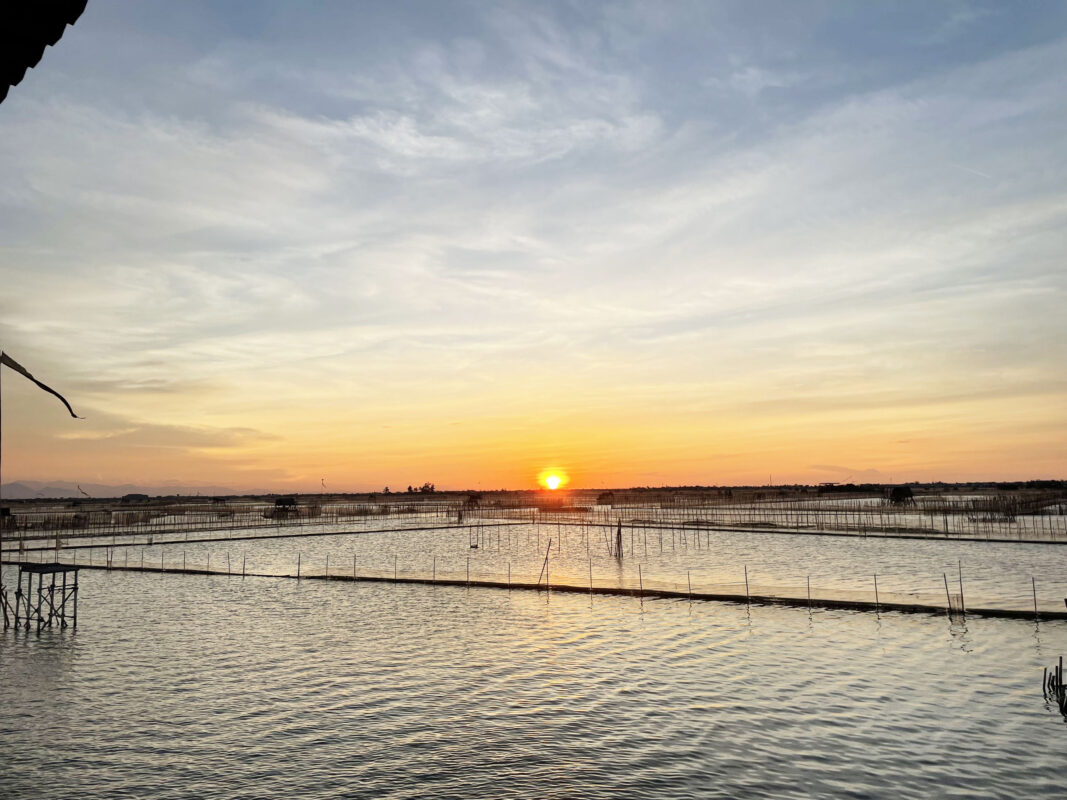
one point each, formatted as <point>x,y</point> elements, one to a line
<point>192,687</point>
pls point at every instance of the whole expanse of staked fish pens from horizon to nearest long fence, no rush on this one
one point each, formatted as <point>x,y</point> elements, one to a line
<point>647,545</point>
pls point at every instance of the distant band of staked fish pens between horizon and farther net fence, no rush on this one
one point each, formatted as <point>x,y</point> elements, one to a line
<point>1037,517</point>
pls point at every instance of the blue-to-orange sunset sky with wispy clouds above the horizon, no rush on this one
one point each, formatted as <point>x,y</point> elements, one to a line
<point>261,245</point>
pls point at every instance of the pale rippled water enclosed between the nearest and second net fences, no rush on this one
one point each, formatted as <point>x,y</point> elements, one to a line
<point>996,574</point>
